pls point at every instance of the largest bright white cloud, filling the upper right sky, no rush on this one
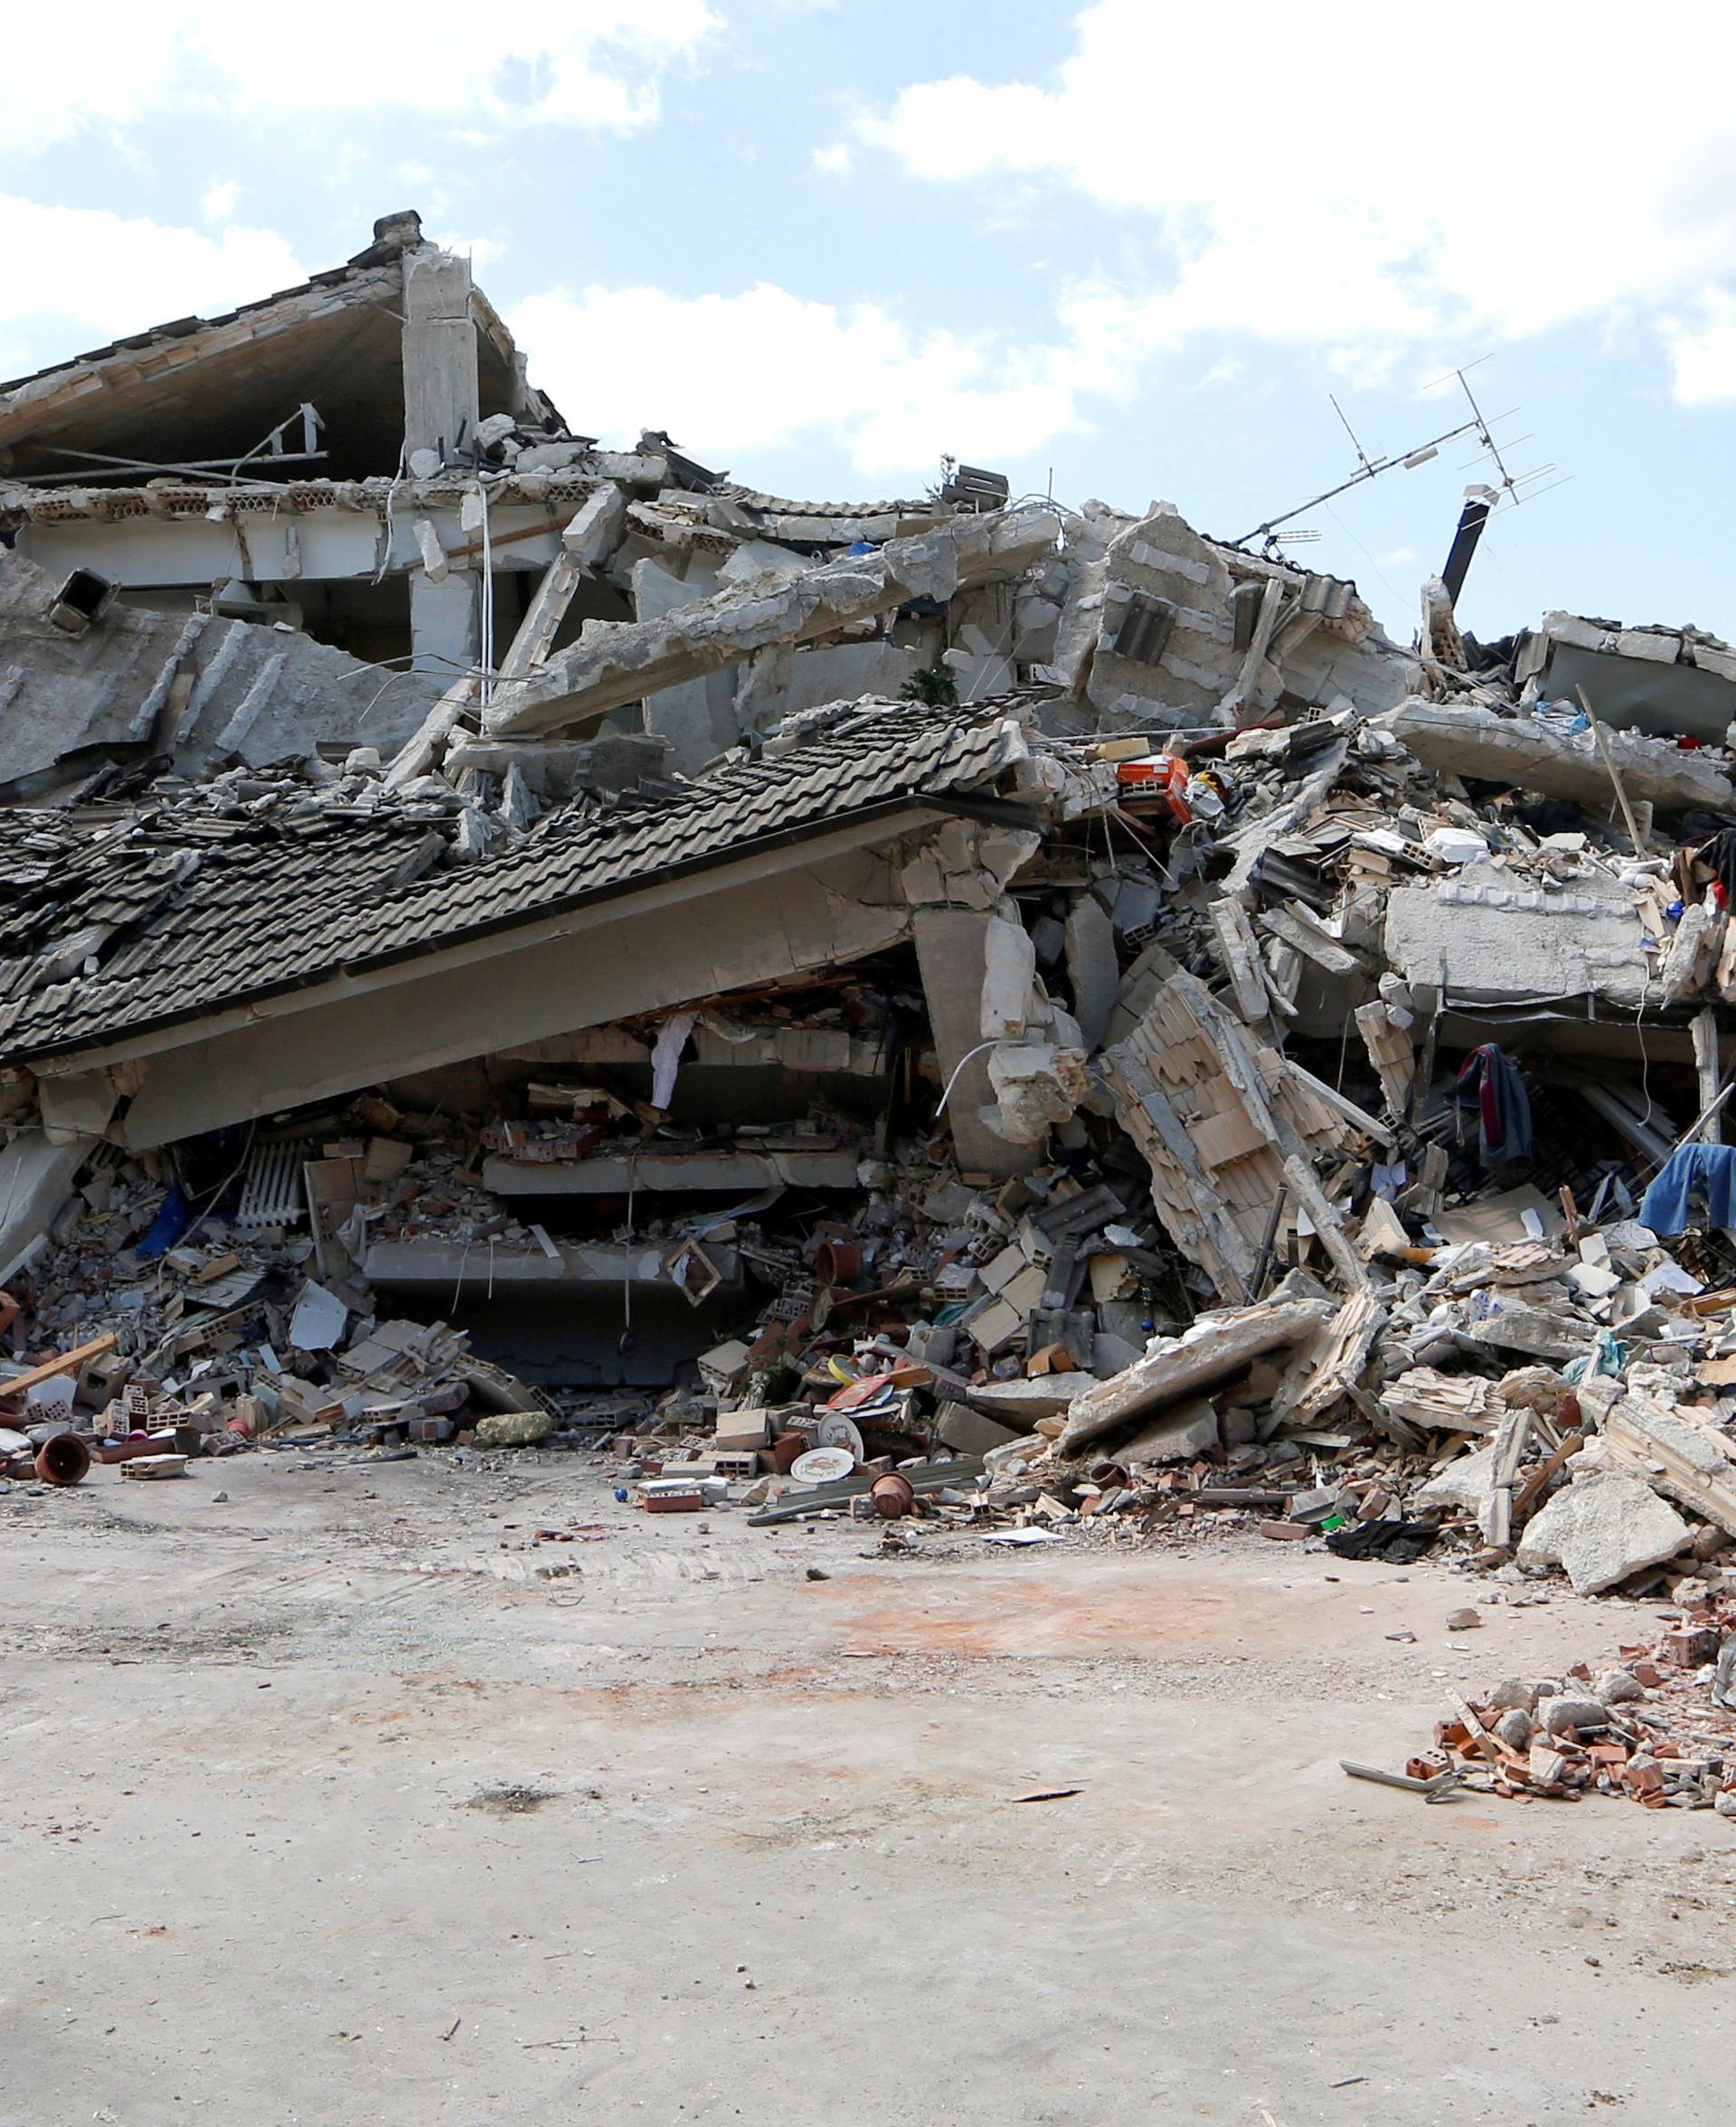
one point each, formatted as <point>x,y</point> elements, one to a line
<point>1346,184</point>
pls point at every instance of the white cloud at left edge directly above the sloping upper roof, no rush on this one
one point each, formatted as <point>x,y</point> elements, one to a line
<point>82,273</point>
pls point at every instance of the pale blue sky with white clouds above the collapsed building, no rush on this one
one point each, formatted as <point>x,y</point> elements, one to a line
<point>1124,244</point>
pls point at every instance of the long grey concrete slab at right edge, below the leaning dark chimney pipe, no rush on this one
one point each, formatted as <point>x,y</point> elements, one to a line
<point>1526,754</point>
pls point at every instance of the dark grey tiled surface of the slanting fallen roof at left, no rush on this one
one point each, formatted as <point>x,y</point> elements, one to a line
<point>284,903</point>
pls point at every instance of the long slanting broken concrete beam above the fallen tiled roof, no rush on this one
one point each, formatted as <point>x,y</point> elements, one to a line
<point>618,663</point>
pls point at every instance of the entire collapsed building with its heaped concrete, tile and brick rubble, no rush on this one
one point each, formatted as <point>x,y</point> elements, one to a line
<point>507,933</point>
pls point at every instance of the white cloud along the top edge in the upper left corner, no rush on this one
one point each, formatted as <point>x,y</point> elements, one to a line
<point>588,63</point>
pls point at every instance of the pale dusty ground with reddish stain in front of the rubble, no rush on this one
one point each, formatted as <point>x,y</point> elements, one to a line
<point>322,1807</point>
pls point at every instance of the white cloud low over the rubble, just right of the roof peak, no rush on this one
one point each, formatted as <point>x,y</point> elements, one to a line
<point>765,369</point>
